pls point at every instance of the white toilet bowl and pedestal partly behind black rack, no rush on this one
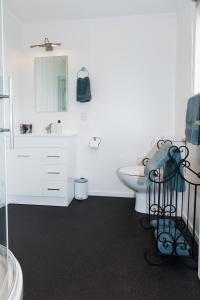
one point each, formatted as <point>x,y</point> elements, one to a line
<point>133,177</point>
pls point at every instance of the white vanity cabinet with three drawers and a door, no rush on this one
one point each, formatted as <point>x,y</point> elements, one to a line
<point>41,170</point>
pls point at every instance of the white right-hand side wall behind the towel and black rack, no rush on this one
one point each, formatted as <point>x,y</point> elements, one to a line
<point>185,83</point>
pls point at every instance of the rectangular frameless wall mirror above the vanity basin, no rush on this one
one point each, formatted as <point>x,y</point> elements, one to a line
<point>51,83</point>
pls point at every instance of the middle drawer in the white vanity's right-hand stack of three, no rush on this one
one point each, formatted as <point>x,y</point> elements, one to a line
<point>54,173</point>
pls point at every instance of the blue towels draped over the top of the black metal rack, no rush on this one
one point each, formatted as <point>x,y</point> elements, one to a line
<point>162,159</point>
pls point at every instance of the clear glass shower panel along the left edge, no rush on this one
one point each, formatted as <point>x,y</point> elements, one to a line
<point>3,204</point>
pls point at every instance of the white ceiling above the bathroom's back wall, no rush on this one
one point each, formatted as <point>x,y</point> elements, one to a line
<point>55,10</point>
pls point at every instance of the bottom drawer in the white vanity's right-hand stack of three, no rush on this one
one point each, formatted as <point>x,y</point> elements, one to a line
<point>55,189</point>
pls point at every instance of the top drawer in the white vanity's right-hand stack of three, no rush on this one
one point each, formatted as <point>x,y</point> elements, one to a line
<point>54,157</point>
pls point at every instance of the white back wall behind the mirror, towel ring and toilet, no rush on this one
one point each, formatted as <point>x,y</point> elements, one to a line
<point>132,63</point>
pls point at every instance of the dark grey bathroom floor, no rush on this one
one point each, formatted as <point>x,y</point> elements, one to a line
<point>92,250</point>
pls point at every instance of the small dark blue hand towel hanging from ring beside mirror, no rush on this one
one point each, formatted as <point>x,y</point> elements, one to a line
<point>83,91</point>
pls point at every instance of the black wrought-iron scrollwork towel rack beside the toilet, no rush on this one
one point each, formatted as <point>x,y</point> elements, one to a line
<point>173,211</point>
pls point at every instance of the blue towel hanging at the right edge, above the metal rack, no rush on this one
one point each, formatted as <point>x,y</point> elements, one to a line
<point>192,131</point>
